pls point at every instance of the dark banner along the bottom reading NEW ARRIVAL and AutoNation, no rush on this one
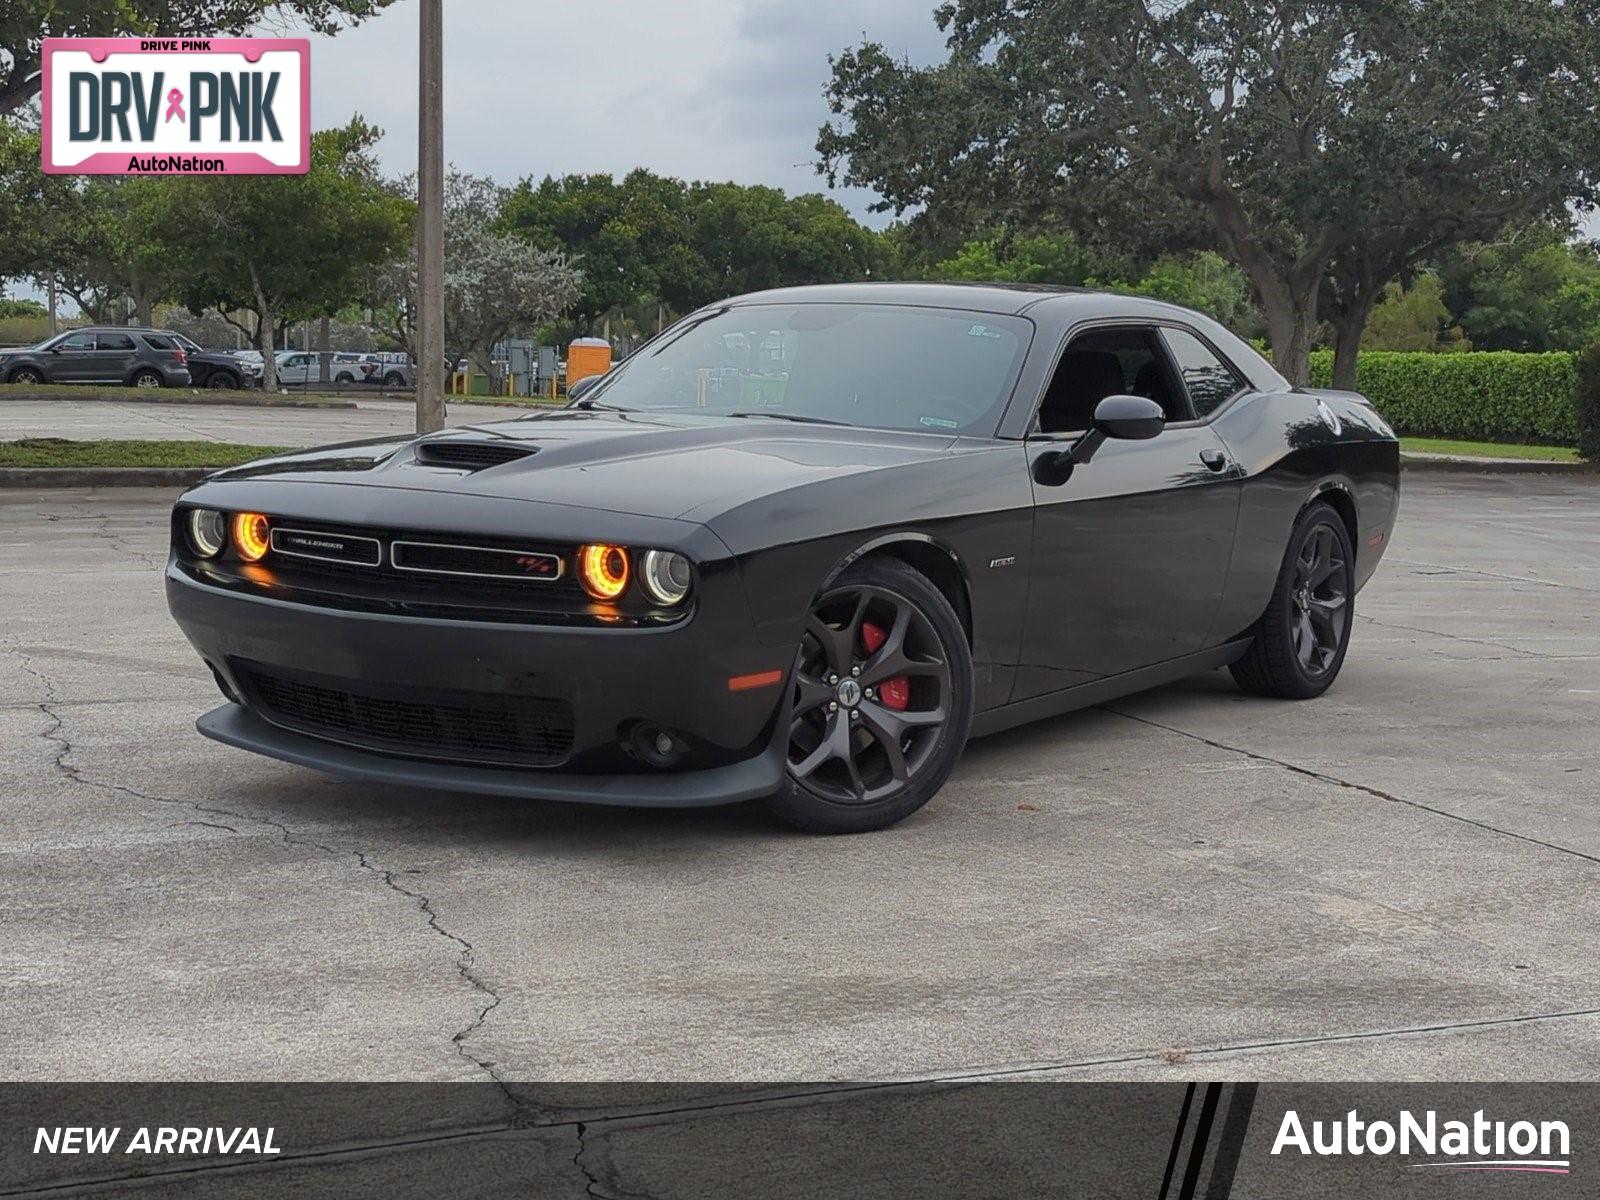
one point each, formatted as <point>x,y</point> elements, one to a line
<point>1162,1142</point>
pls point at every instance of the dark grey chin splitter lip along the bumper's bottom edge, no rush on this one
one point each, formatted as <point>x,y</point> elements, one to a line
<point>236,726</point>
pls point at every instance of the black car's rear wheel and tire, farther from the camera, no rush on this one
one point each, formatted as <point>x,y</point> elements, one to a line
<point>1302,639</point>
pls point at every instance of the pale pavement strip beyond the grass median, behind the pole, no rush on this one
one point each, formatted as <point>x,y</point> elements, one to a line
<point>89,420</point>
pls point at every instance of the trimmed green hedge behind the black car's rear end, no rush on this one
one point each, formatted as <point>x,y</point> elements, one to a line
<point>1492,396</point>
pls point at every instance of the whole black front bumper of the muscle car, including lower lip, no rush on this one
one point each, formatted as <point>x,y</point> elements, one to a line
<point>607,681</point>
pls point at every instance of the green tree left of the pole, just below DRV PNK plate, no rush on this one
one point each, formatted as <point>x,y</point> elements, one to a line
<point>282,247</point>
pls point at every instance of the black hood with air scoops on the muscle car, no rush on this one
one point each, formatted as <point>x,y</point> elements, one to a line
<point>679,466</point>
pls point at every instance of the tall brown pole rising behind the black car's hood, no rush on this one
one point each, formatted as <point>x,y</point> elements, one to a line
<point>431,222</point>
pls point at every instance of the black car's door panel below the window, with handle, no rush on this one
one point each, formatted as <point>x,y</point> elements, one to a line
<point>1130,558</point>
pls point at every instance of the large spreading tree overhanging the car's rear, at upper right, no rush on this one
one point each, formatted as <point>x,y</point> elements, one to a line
<point>1284,137</point>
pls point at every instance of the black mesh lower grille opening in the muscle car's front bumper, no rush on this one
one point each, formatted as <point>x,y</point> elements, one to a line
<point>471,727</point>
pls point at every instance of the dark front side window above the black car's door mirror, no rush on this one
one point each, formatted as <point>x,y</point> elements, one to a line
<point>1124,361</point>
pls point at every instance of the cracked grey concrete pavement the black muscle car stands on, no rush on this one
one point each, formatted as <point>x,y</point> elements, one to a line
<point>1396,881</point>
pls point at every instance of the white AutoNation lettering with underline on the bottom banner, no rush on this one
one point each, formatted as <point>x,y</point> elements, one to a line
<point>1479,1145</point>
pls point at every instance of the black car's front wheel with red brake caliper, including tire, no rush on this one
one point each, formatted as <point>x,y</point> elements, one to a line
<point>881,702</point>
